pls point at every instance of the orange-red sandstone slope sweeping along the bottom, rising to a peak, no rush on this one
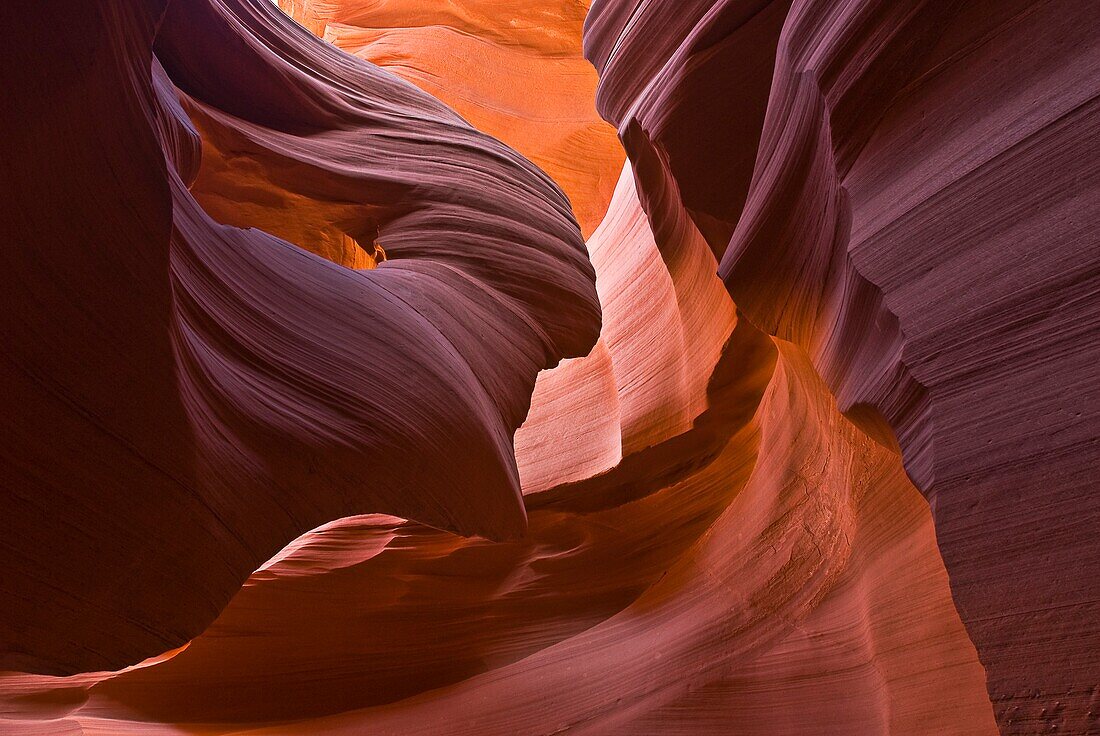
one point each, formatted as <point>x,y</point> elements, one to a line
<point>796,566</point>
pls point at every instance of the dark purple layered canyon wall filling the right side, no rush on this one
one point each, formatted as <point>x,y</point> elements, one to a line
<point>914,202</point>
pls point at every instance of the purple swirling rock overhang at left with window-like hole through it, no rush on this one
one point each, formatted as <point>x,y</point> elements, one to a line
<point>184,399</point>
